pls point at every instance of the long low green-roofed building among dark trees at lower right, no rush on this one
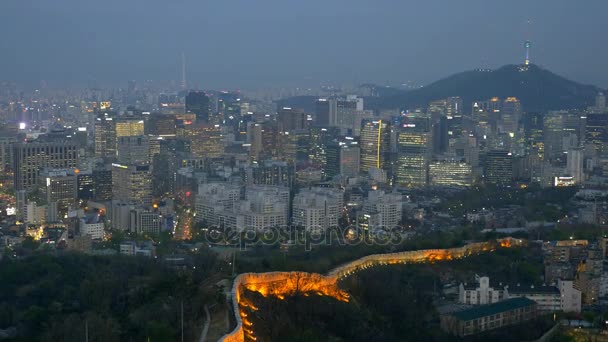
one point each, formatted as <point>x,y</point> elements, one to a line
<point>489,317</point>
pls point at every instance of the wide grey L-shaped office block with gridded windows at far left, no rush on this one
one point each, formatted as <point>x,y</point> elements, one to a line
<point>30,158</point>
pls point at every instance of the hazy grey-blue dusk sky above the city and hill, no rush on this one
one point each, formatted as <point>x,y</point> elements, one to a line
<point>242,43</point>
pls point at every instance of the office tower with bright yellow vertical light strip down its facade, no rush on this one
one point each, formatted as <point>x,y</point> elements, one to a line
<point>375,141</point>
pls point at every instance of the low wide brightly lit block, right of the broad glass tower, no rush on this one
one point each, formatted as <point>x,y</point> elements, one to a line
<point>450,173</point>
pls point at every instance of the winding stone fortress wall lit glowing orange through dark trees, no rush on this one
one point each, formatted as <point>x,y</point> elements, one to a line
<point>281,284</point>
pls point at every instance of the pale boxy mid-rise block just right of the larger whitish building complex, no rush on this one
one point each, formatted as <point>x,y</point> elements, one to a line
<point>317,209</point>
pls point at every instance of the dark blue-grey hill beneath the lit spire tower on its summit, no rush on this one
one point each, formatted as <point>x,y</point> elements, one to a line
<point>538,90</point>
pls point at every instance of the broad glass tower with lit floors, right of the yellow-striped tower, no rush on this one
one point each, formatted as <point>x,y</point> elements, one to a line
<point>414,147</point>
